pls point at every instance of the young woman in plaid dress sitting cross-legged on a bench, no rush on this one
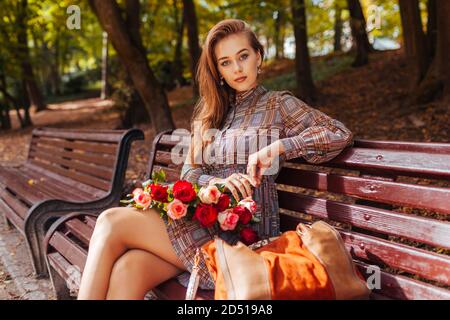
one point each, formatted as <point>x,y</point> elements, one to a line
<point>133,251</point>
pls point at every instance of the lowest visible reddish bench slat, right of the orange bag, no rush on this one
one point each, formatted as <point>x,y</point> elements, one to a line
<point>402,288</point>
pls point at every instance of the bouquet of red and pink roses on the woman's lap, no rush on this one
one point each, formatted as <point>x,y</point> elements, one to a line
<point>210,206</point>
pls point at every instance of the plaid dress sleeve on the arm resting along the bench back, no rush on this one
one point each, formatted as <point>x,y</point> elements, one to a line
<point>309,133</point>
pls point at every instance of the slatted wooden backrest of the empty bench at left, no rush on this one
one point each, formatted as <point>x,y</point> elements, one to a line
<point>88,158</point>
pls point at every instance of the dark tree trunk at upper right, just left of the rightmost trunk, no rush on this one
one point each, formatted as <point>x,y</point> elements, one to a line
<point>414,38</point>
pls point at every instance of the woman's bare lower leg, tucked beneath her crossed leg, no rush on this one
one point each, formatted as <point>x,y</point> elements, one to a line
<point>136,272</point>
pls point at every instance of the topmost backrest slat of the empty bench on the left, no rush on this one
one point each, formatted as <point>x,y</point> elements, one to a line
<point>79,135</point>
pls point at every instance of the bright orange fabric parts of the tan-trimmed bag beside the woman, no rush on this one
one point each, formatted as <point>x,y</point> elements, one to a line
<point>294,273</point>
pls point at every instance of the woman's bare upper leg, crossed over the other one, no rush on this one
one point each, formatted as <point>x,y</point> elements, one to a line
<point>118,230</point>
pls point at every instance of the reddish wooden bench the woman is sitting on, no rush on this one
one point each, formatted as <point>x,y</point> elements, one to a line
<point>375,193</point>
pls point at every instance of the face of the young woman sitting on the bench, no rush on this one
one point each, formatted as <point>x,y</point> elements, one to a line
<point>237,62</point>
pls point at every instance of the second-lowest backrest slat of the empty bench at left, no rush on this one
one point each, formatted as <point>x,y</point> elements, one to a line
<point>90,169</point>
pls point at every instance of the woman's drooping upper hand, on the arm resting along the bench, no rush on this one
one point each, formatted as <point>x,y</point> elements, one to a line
<point>262,160</point>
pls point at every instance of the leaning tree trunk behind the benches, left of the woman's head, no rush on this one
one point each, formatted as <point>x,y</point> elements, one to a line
<point>132,57</point>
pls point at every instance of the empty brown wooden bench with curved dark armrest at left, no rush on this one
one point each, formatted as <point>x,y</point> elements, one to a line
<point>65,170</point>
